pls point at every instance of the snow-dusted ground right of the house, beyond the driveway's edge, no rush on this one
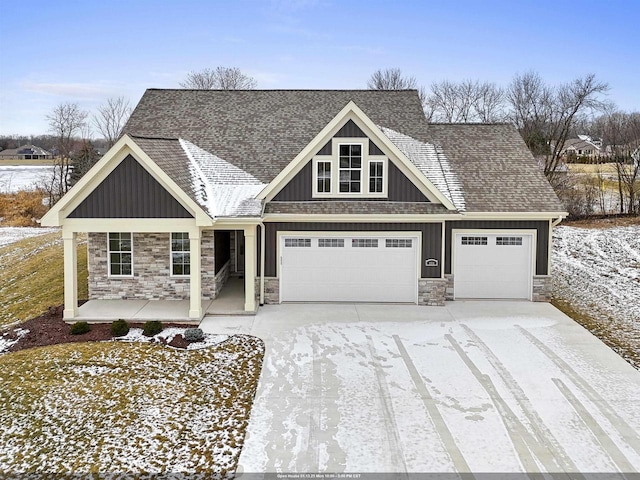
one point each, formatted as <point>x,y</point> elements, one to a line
<point>597,272</point>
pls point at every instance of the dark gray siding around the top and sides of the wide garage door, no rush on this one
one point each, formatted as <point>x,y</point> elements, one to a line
<point>431,239</point>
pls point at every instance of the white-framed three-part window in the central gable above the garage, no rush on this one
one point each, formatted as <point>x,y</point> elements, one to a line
<point>350,168</point>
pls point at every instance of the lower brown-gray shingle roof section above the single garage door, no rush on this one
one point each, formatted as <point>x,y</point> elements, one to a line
<point>496,169</point>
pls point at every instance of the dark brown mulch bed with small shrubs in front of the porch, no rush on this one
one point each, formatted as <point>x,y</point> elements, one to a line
<point>50,329</point>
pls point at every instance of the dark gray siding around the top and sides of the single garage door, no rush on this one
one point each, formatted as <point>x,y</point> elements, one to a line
<point>541,228</point>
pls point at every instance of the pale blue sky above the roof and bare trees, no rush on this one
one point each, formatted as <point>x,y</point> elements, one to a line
<point>87,51</point>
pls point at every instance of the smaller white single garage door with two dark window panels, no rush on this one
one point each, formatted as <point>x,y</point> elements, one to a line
<point>493,266</point>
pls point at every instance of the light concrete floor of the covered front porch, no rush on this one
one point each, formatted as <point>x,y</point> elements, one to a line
<point>230,301</point>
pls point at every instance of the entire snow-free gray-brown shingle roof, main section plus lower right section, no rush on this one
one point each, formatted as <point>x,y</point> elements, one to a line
<point>261,131</point>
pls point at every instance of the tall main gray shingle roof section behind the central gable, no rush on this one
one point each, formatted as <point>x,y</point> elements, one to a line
<point>261,131</point>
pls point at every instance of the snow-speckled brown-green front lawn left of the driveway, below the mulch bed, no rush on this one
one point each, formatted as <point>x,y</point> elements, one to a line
<point>132,407</point>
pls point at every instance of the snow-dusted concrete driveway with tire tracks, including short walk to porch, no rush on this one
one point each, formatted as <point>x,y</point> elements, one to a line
<point>473,386</point>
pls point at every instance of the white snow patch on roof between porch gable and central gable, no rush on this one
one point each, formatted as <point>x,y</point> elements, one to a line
<point>225,190</point>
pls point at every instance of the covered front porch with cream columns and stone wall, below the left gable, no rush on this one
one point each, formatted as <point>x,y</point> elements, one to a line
<point>236,297</point>
